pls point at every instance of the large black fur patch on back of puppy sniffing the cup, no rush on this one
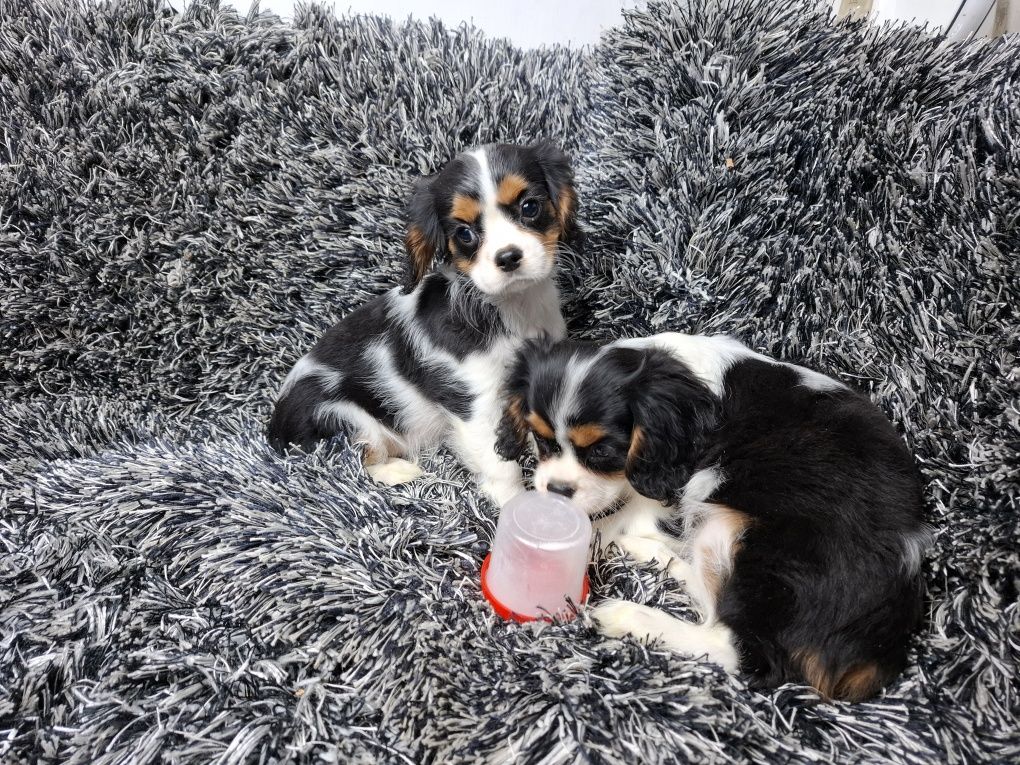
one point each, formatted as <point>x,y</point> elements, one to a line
<point>825,585</point>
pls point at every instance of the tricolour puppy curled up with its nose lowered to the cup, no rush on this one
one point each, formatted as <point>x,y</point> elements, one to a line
<point>785,500</point>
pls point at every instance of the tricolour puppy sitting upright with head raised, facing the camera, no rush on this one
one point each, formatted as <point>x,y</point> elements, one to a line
<point>423,366</point>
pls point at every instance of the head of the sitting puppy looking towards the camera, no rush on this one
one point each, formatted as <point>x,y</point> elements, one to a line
<point>498,214</point>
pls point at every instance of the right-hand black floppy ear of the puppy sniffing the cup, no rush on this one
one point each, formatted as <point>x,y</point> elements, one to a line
<point>674,414</point>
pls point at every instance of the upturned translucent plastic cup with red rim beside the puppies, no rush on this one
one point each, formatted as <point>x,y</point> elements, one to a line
<point>539,558</point>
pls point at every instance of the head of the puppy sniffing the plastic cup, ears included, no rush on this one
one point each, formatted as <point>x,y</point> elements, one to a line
<point>606,422</point>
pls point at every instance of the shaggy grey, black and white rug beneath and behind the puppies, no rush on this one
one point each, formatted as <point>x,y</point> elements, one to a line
<point>188,200</point>
